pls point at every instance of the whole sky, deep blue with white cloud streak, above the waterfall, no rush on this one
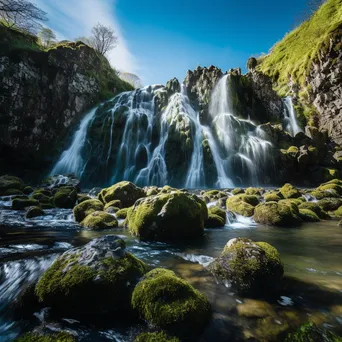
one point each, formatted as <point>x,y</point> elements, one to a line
<point>161,39</point>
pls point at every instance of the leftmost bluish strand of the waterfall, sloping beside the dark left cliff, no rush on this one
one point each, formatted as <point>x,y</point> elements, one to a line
<point>71,160</point>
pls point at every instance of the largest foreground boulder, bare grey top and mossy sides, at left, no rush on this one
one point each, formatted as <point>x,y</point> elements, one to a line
<point>97,278</point>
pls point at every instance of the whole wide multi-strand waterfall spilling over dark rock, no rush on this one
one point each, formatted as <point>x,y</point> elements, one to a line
<point>151,137</point>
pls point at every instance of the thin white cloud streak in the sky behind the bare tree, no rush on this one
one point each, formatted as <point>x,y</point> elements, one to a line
<point>74,18</point>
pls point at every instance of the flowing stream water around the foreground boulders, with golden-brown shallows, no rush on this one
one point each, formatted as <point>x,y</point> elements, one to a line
<point>312,285</point>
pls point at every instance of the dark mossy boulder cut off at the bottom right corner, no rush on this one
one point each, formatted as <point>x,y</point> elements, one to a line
<point>311,333</point>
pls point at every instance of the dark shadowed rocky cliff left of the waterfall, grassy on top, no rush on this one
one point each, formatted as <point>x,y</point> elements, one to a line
<point>43,94</point>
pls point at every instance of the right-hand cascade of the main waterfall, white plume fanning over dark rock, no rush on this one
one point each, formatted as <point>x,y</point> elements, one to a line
<point>245,152</point>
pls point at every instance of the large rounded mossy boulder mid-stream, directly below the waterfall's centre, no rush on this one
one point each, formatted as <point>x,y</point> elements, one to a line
<point>168,217</point>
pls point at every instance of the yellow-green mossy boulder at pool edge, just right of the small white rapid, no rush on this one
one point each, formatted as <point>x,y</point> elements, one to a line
<point>277,214</point>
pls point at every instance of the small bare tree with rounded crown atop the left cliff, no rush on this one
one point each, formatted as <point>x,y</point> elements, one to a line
<point>103,39</point>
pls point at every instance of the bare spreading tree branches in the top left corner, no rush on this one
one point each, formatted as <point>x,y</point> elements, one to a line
<point>21,13</point>
